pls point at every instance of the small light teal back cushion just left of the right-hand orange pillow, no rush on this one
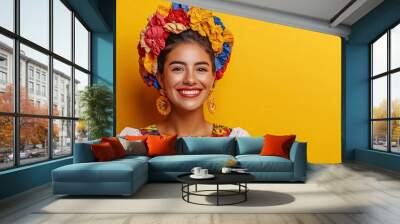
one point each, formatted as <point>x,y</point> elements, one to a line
<point>249,145</point>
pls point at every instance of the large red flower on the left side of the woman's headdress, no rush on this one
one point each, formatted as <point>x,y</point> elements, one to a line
<point>155,37</point>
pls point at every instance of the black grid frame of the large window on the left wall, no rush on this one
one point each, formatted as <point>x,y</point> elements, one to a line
<point>16,115</point>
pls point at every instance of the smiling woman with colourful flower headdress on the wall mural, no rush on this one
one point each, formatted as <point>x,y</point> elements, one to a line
<point>182,52</point>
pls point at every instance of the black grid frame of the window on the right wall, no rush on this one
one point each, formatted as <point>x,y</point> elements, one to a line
<point>388,74</point>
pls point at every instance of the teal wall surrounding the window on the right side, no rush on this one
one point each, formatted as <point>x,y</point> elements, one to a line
<point>357,85</point>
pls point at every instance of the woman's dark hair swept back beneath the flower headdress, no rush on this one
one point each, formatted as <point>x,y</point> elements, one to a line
<point>187,36</point>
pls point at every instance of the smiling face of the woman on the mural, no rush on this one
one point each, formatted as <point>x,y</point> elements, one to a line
<point>187,78</point>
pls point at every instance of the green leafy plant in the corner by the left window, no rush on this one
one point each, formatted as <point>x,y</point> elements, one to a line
<point>96,102</point>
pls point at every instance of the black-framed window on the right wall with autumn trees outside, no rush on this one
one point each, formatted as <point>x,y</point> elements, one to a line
<point>385,91</point>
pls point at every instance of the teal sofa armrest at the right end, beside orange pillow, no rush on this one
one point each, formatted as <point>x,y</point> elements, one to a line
<point>298,155</point>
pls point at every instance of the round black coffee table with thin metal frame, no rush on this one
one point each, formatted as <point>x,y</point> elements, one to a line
<point>238,179</point>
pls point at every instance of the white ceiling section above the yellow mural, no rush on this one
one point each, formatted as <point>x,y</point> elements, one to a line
<point>317,15</point>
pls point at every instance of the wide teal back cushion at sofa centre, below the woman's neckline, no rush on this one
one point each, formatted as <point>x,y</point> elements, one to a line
<point>207,145</point>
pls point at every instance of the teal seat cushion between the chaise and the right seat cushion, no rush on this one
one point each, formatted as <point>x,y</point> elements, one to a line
<point>185,163</point>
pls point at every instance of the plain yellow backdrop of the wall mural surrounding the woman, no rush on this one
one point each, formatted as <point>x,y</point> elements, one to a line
<point>280,80</point>
